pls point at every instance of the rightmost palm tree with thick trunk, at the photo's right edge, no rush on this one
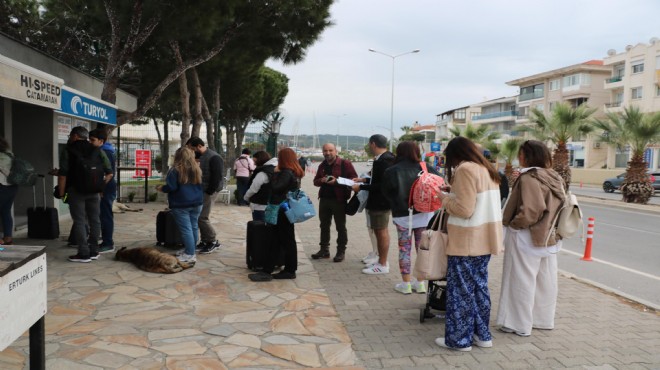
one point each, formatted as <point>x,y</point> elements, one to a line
<point>637,130</point>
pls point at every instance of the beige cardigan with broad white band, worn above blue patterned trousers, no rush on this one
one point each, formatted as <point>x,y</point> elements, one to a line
<point>474,225</point>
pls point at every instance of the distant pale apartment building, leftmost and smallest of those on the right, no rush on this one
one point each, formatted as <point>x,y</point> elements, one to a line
<point>499,114</point>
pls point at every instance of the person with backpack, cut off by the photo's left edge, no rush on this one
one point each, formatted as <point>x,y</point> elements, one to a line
<point>7,193</point>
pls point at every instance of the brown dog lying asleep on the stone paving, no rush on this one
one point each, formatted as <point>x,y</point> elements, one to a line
<point>152,260</point>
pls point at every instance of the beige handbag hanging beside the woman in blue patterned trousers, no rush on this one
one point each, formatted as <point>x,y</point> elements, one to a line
<point>431,263</point>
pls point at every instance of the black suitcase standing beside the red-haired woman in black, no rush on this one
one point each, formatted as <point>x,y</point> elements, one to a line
<point>258,242</point>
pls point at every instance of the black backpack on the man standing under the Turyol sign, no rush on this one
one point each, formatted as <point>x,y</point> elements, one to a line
<point>88,172</point>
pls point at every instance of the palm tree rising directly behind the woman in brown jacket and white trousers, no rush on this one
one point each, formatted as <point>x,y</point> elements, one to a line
<point>564,123</point>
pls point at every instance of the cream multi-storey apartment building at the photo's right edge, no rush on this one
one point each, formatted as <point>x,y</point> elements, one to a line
<point>634,80</point>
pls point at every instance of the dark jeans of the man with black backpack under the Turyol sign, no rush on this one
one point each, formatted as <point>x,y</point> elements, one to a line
<point>84,208</point>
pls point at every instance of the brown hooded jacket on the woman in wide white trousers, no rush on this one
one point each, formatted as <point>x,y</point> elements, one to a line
<point>535,199</point>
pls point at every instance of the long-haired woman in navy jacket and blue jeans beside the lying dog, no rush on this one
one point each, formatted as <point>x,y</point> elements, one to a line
<point>185,197</point>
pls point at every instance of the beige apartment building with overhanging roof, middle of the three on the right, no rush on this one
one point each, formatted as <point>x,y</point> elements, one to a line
<point>577,84</point>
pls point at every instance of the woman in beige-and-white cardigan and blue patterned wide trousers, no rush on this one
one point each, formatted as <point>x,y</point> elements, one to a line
<point>474,229</point>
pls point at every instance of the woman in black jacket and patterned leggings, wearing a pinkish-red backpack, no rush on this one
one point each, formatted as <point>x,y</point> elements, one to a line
<point>398,180</point>
